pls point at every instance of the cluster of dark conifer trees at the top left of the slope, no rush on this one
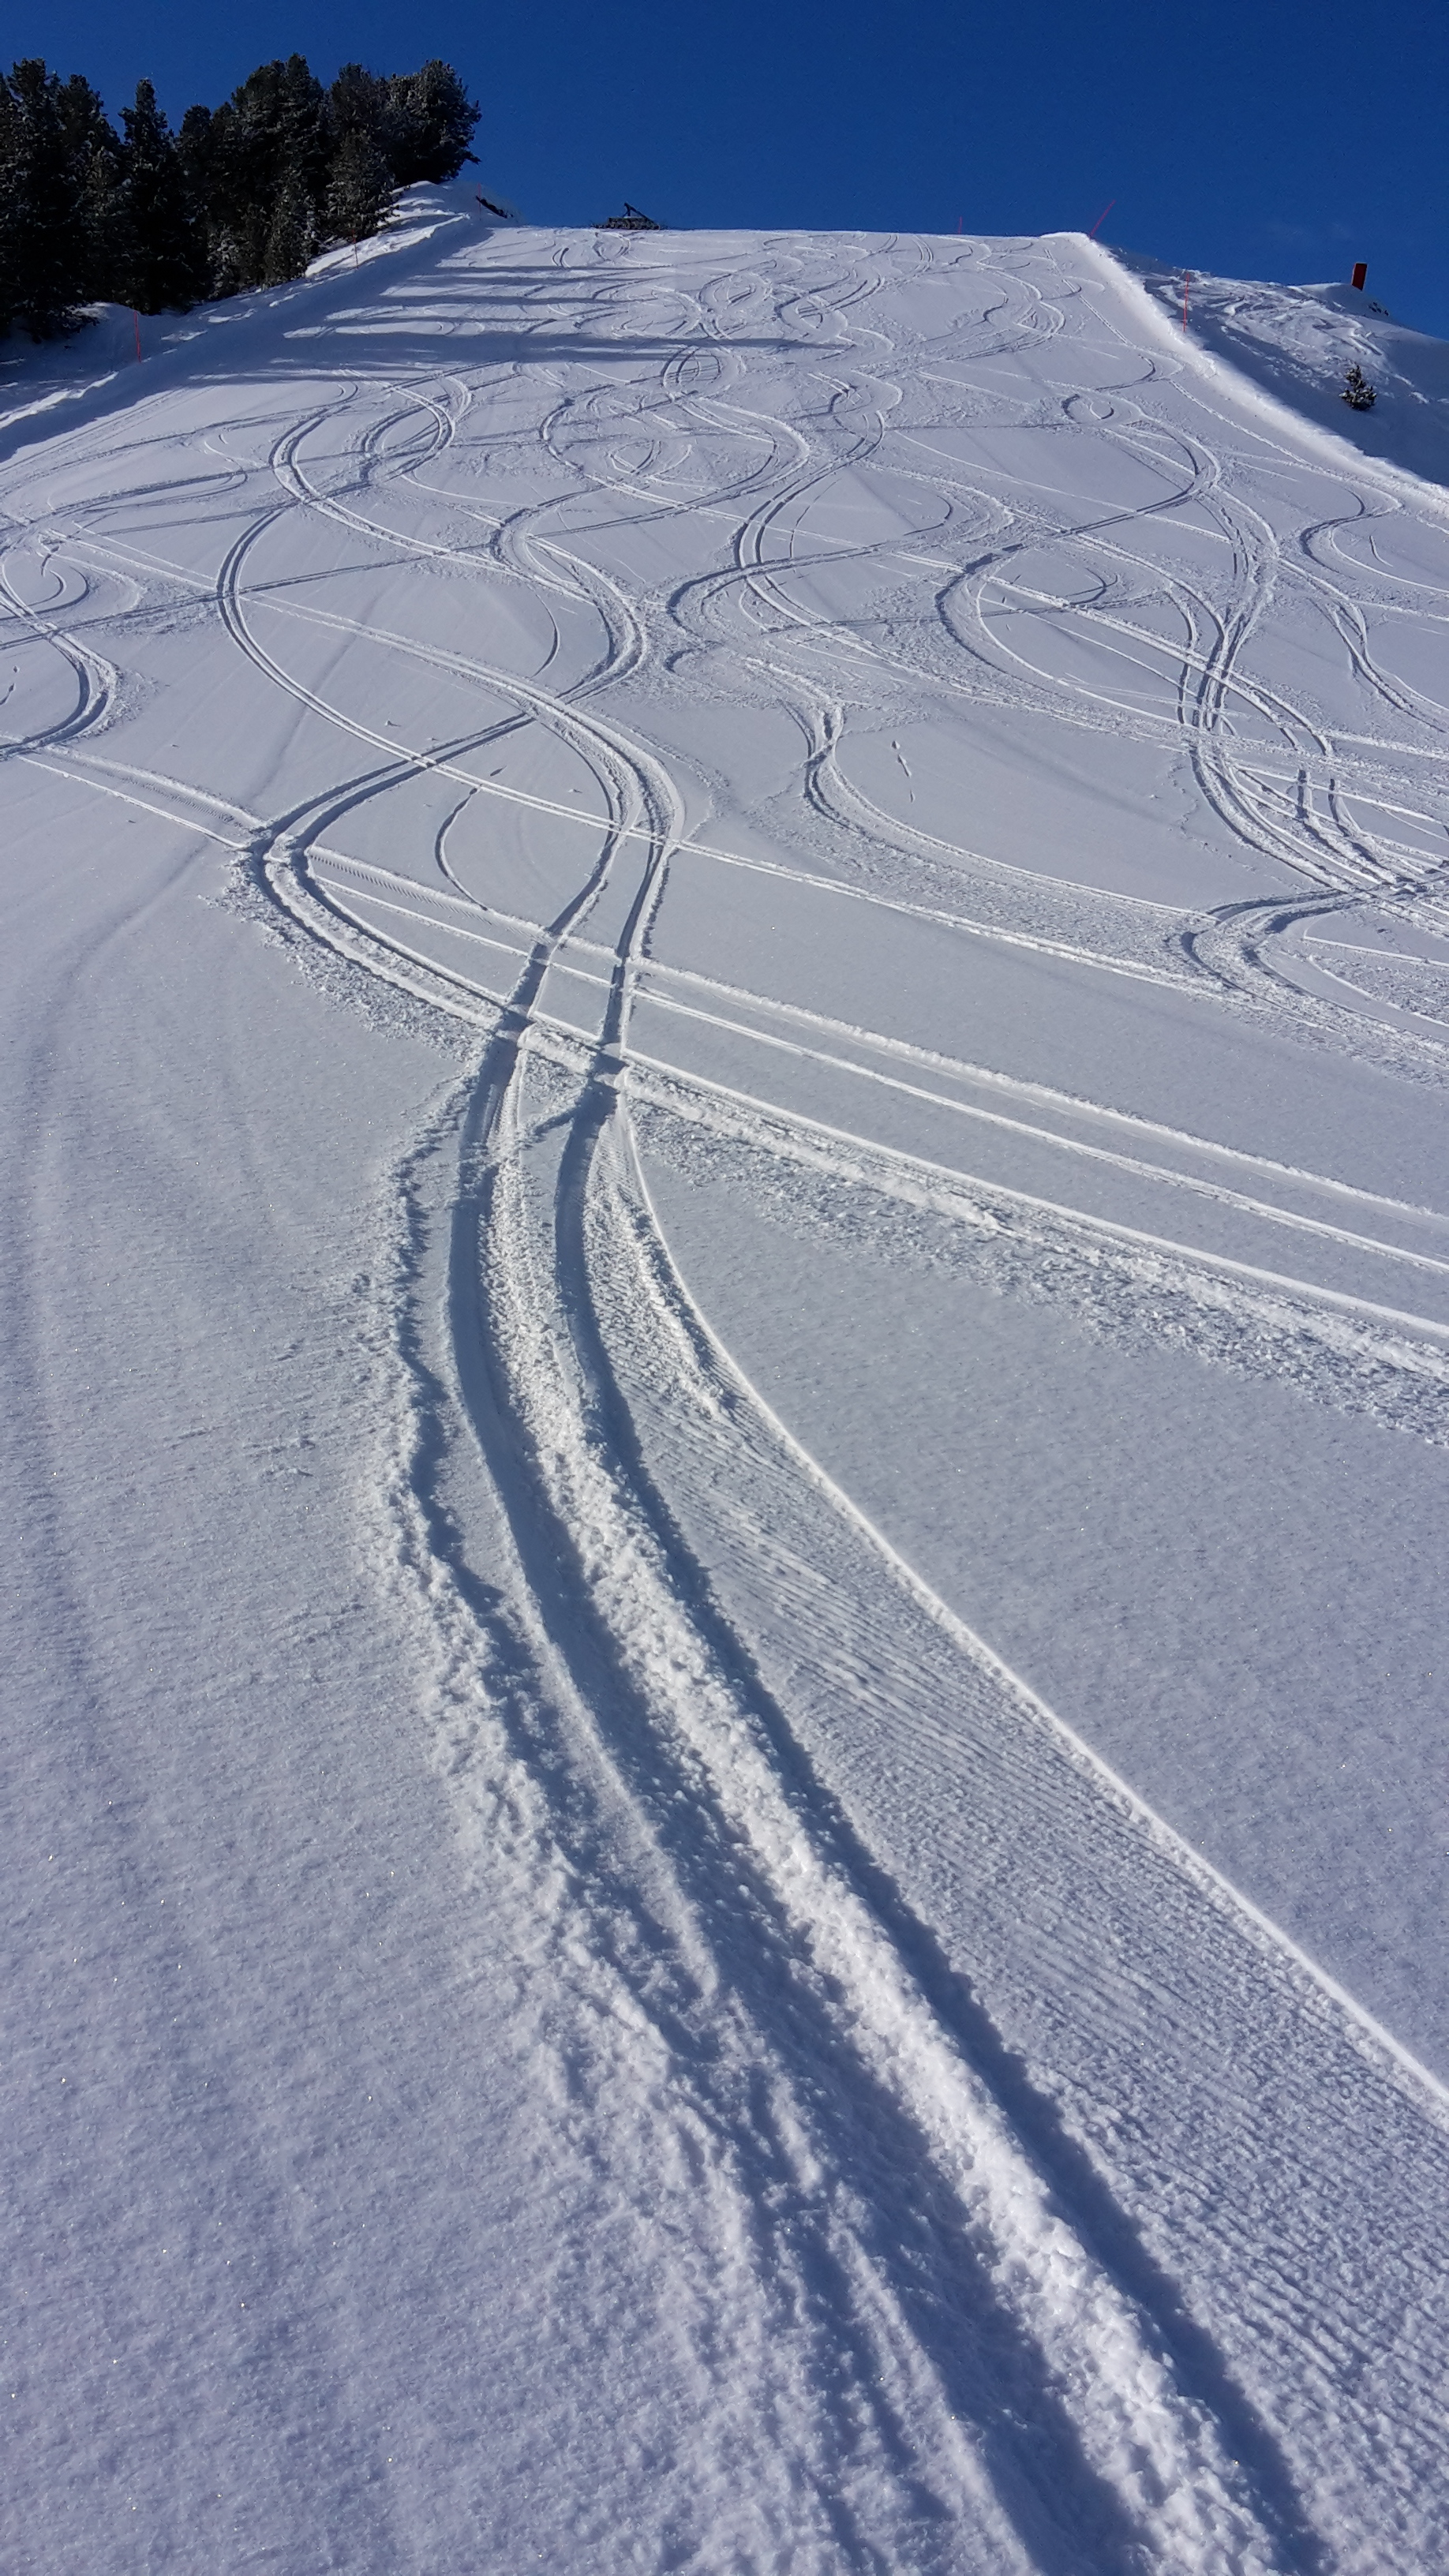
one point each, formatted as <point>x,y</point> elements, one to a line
<point>238,197</point>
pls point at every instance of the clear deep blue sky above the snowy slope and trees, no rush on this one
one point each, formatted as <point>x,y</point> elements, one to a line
<point>1259,140</point>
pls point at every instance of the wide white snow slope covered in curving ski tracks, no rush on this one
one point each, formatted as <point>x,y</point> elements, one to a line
<point>728,1395</point>
